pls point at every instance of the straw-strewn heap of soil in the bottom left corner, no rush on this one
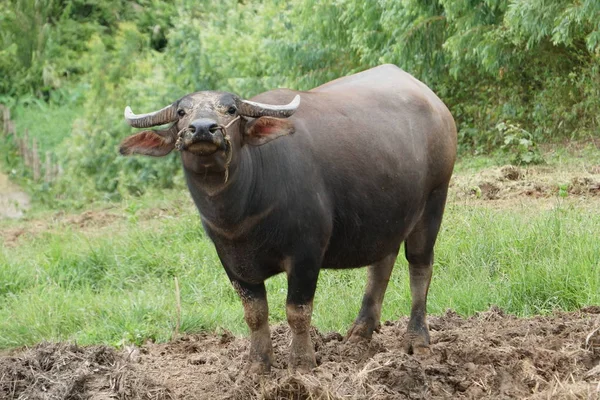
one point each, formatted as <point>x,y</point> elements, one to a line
<point>67,371</point>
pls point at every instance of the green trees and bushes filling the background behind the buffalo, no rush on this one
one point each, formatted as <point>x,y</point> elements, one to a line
<point>535,63</point>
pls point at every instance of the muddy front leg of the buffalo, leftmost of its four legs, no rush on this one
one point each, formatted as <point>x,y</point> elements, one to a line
<point>256,314</point>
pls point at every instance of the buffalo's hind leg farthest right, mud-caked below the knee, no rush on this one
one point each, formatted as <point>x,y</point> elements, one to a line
<point>419,253</point>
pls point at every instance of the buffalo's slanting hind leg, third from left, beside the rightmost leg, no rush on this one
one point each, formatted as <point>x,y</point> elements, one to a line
<point>368,319</point>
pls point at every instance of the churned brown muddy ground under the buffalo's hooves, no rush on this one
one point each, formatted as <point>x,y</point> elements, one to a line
<point>490,355</point>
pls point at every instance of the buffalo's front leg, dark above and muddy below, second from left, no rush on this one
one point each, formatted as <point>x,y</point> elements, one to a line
<point>302,283</point>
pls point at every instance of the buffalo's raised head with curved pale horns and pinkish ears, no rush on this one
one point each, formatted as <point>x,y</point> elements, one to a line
<point>208,128</point>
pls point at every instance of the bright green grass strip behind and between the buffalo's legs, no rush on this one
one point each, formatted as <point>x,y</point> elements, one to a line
<point>115,284</point>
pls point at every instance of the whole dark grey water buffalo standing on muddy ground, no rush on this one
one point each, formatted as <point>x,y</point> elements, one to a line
<point>360,165</point>
